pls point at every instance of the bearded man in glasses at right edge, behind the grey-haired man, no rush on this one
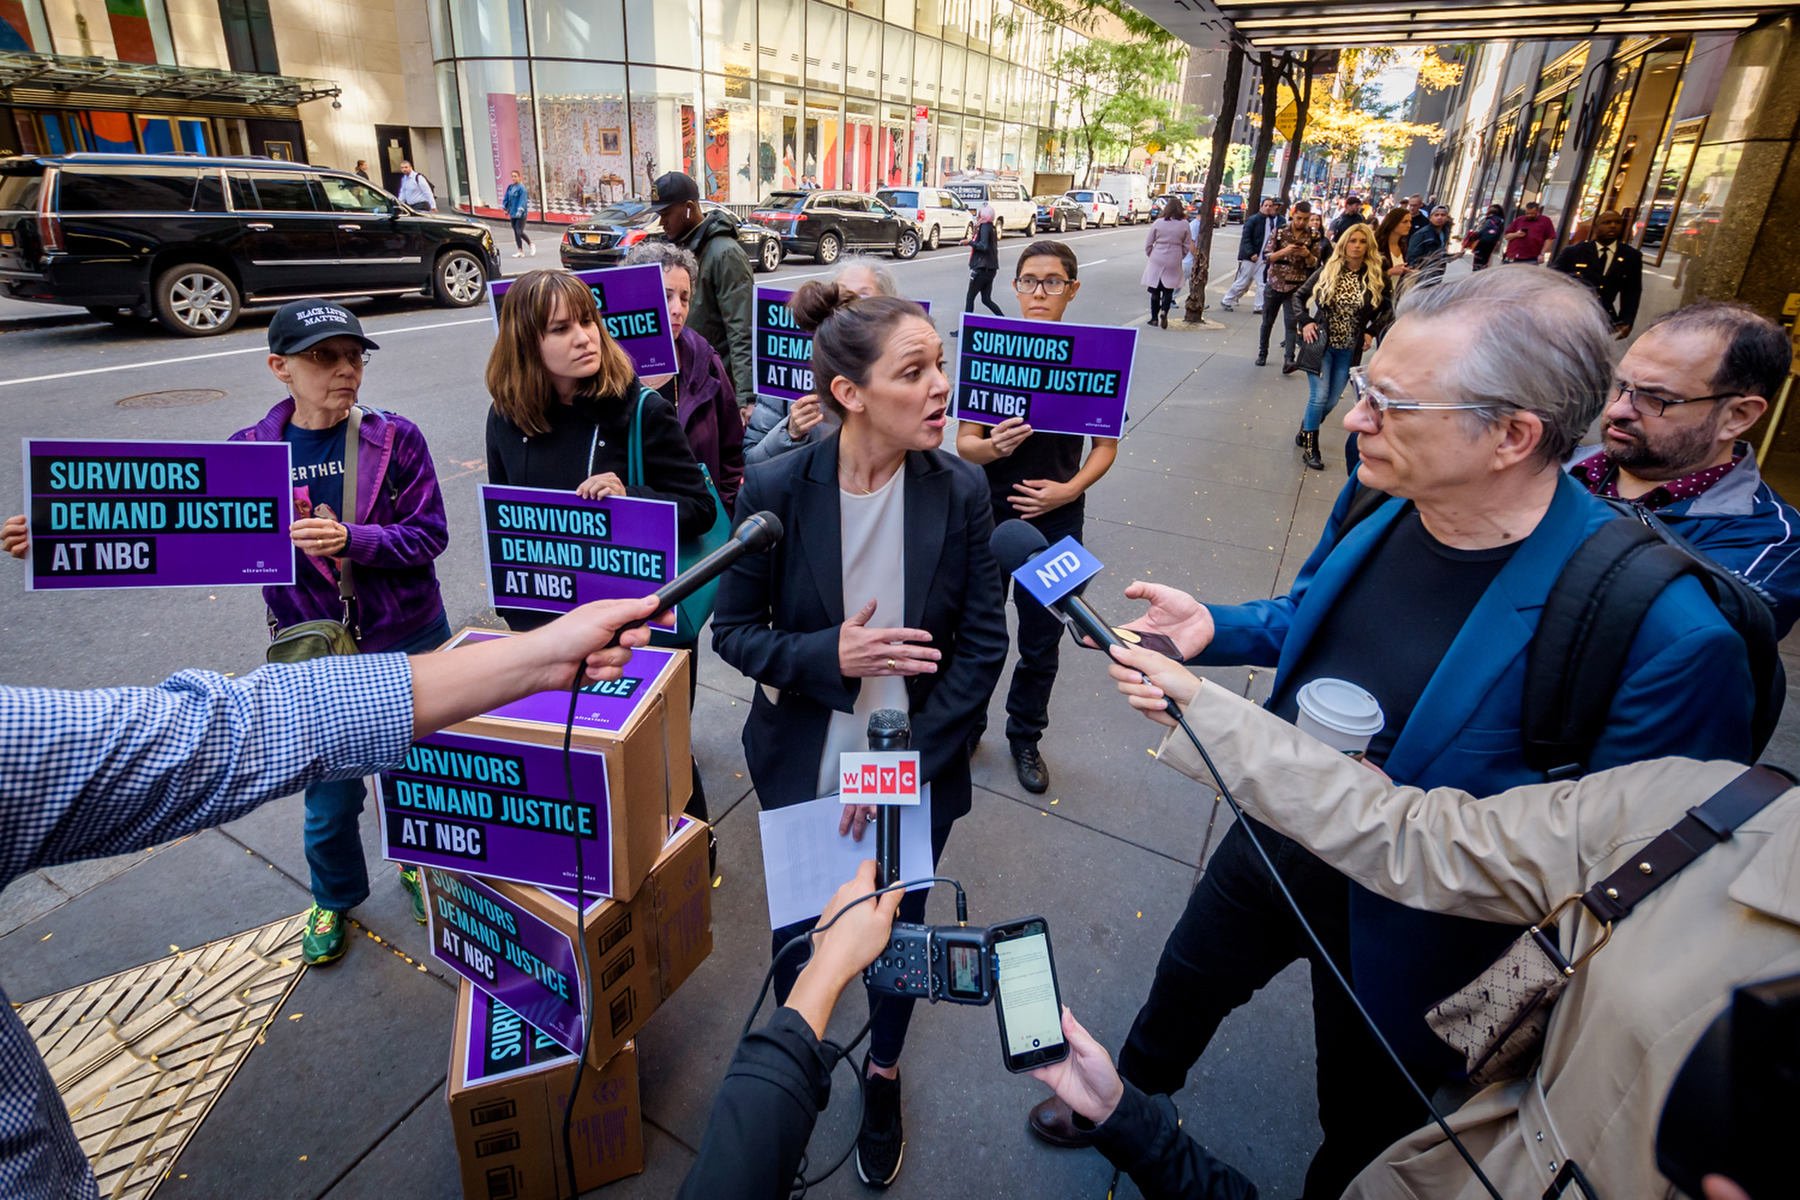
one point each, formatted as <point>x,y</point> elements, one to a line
<point>1686,395</point>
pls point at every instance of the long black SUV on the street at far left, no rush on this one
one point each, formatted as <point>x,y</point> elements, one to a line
<point>192,240</point>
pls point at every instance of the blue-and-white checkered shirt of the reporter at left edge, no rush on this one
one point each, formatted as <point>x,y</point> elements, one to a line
<point>120,769</point>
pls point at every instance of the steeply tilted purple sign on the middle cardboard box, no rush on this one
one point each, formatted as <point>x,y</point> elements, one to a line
<point>507,953</point>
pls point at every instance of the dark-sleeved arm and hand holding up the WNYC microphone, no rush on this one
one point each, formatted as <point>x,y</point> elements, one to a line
<point>780,1079</point>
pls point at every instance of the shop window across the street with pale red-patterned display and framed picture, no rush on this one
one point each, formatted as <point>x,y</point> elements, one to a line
<point>588,150</point>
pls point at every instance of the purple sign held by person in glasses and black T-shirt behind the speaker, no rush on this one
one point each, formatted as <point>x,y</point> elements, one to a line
<point>1059,379</point>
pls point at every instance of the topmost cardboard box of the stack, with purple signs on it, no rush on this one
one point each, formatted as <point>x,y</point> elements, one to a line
<point>490,796</point>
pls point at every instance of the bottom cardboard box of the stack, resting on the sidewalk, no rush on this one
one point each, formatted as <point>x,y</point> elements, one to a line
<point>508,1089</point>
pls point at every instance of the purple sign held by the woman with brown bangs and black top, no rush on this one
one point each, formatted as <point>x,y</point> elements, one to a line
<point>555,551</point>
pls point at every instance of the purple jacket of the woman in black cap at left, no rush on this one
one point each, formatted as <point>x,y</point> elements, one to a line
<point>395,532</point>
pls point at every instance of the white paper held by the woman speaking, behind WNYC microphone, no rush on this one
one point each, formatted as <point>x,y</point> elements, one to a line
<point>805,859</point>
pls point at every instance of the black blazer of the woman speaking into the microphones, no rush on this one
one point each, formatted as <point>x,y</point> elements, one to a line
<point>778,618</point>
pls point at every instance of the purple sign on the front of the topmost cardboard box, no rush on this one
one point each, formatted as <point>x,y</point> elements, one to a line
<point>499,809</point>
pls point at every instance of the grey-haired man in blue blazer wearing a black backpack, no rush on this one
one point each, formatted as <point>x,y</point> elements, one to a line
<point>1430,604</point>
